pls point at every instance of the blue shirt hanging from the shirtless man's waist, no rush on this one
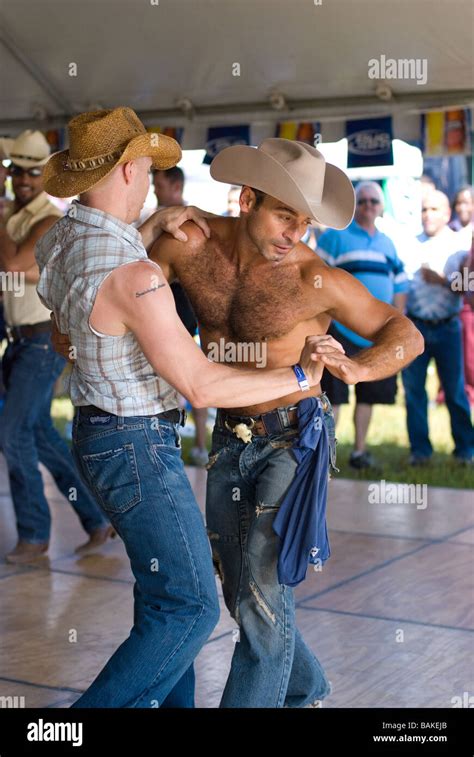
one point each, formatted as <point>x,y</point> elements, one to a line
<point>301,520</point>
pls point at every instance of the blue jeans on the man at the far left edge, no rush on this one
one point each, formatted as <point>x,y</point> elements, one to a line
<point>28,436</point>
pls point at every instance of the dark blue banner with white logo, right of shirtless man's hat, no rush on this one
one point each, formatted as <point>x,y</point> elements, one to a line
<point>369,142</point>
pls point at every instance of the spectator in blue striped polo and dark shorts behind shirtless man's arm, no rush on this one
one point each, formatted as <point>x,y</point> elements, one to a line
<point>363,251</point>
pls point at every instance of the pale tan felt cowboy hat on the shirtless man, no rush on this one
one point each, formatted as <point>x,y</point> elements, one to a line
<point>293,172</point>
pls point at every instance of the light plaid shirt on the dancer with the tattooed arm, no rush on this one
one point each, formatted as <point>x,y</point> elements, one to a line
<point>74,257</point>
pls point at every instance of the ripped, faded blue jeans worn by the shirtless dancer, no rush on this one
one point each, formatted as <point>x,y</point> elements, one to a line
<point>271,665</point>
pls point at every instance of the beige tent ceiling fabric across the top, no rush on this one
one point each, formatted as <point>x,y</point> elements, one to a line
<point>148,56</point>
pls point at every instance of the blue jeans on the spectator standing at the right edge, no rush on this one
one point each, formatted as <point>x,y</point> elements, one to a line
<point>444,344</point>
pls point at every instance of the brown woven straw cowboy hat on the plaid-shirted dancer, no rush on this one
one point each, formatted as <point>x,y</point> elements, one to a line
<point>99,141</point>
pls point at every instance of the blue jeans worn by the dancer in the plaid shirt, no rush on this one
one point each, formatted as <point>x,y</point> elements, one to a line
<point>133,466</point>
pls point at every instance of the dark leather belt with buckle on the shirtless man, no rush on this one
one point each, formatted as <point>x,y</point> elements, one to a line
<point>274,422</point>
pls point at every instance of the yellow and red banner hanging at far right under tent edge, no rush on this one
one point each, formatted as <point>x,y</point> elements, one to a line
<point>447,133</point>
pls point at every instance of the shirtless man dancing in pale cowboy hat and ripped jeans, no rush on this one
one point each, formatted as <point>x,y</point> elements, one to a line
<point>254,284</point>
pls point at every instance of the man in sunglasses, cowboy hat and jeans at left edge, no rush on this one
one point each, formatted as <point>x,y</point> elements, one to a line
<point>31,367</point>
